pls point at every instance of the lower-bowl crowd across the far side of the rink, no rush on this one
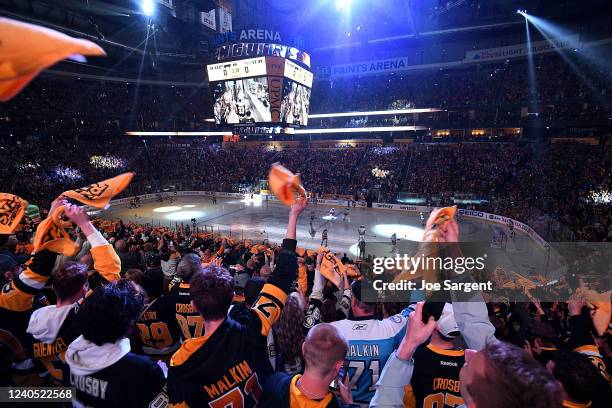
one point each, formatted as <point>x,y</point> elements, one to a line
<point>549,187</point>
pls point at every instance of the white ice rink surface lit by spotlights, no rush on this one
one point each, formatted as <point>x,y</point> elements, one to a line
<point>262,220</point>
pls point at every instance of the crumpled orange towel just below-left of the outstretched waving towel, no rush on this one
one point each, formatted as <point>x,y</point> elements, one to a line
<point>52,235</point>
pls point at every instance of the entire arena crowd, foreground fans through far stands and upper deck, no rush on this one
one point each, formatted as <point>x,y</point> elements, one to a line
<point>134,315</point>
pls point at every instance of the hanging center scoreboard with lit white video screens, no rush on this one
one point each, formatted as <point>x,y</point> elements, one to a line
<point>268,89</point>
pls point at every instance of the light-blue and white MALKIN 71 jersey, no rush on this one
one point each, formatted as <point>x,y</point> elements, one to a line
<point>371,342</point>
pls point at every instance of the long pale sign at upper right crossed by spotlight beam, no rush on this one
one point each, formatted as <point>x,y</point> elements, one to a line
<point>521,50</point>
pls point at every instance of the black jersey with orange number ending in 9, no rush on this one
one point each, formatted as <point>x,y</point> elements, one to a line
<point>158,328</point>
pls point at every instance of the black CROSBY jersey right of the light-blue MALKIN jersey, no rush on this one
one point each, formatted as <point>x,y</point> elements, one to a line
<point>435,379</point>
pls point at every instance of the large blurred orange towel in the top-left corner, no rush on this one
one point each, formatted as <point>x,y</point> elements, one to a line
<point>27,49</point>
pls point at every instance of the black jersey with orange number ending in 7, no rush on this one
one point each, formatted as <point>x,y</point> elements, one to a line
<point>190,322</point>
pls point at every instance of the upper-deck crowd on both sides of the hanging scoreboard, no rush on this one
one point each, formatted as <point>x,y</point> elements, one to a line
<point>486,95</point>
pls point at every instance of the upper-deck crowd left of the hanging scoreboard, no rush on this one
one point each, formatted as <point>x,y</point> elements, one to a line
<point>52,105</point>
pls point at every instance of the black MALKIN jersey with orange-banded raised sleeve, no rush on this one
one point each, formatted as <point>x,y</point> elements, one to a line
<point>224,368</point>
